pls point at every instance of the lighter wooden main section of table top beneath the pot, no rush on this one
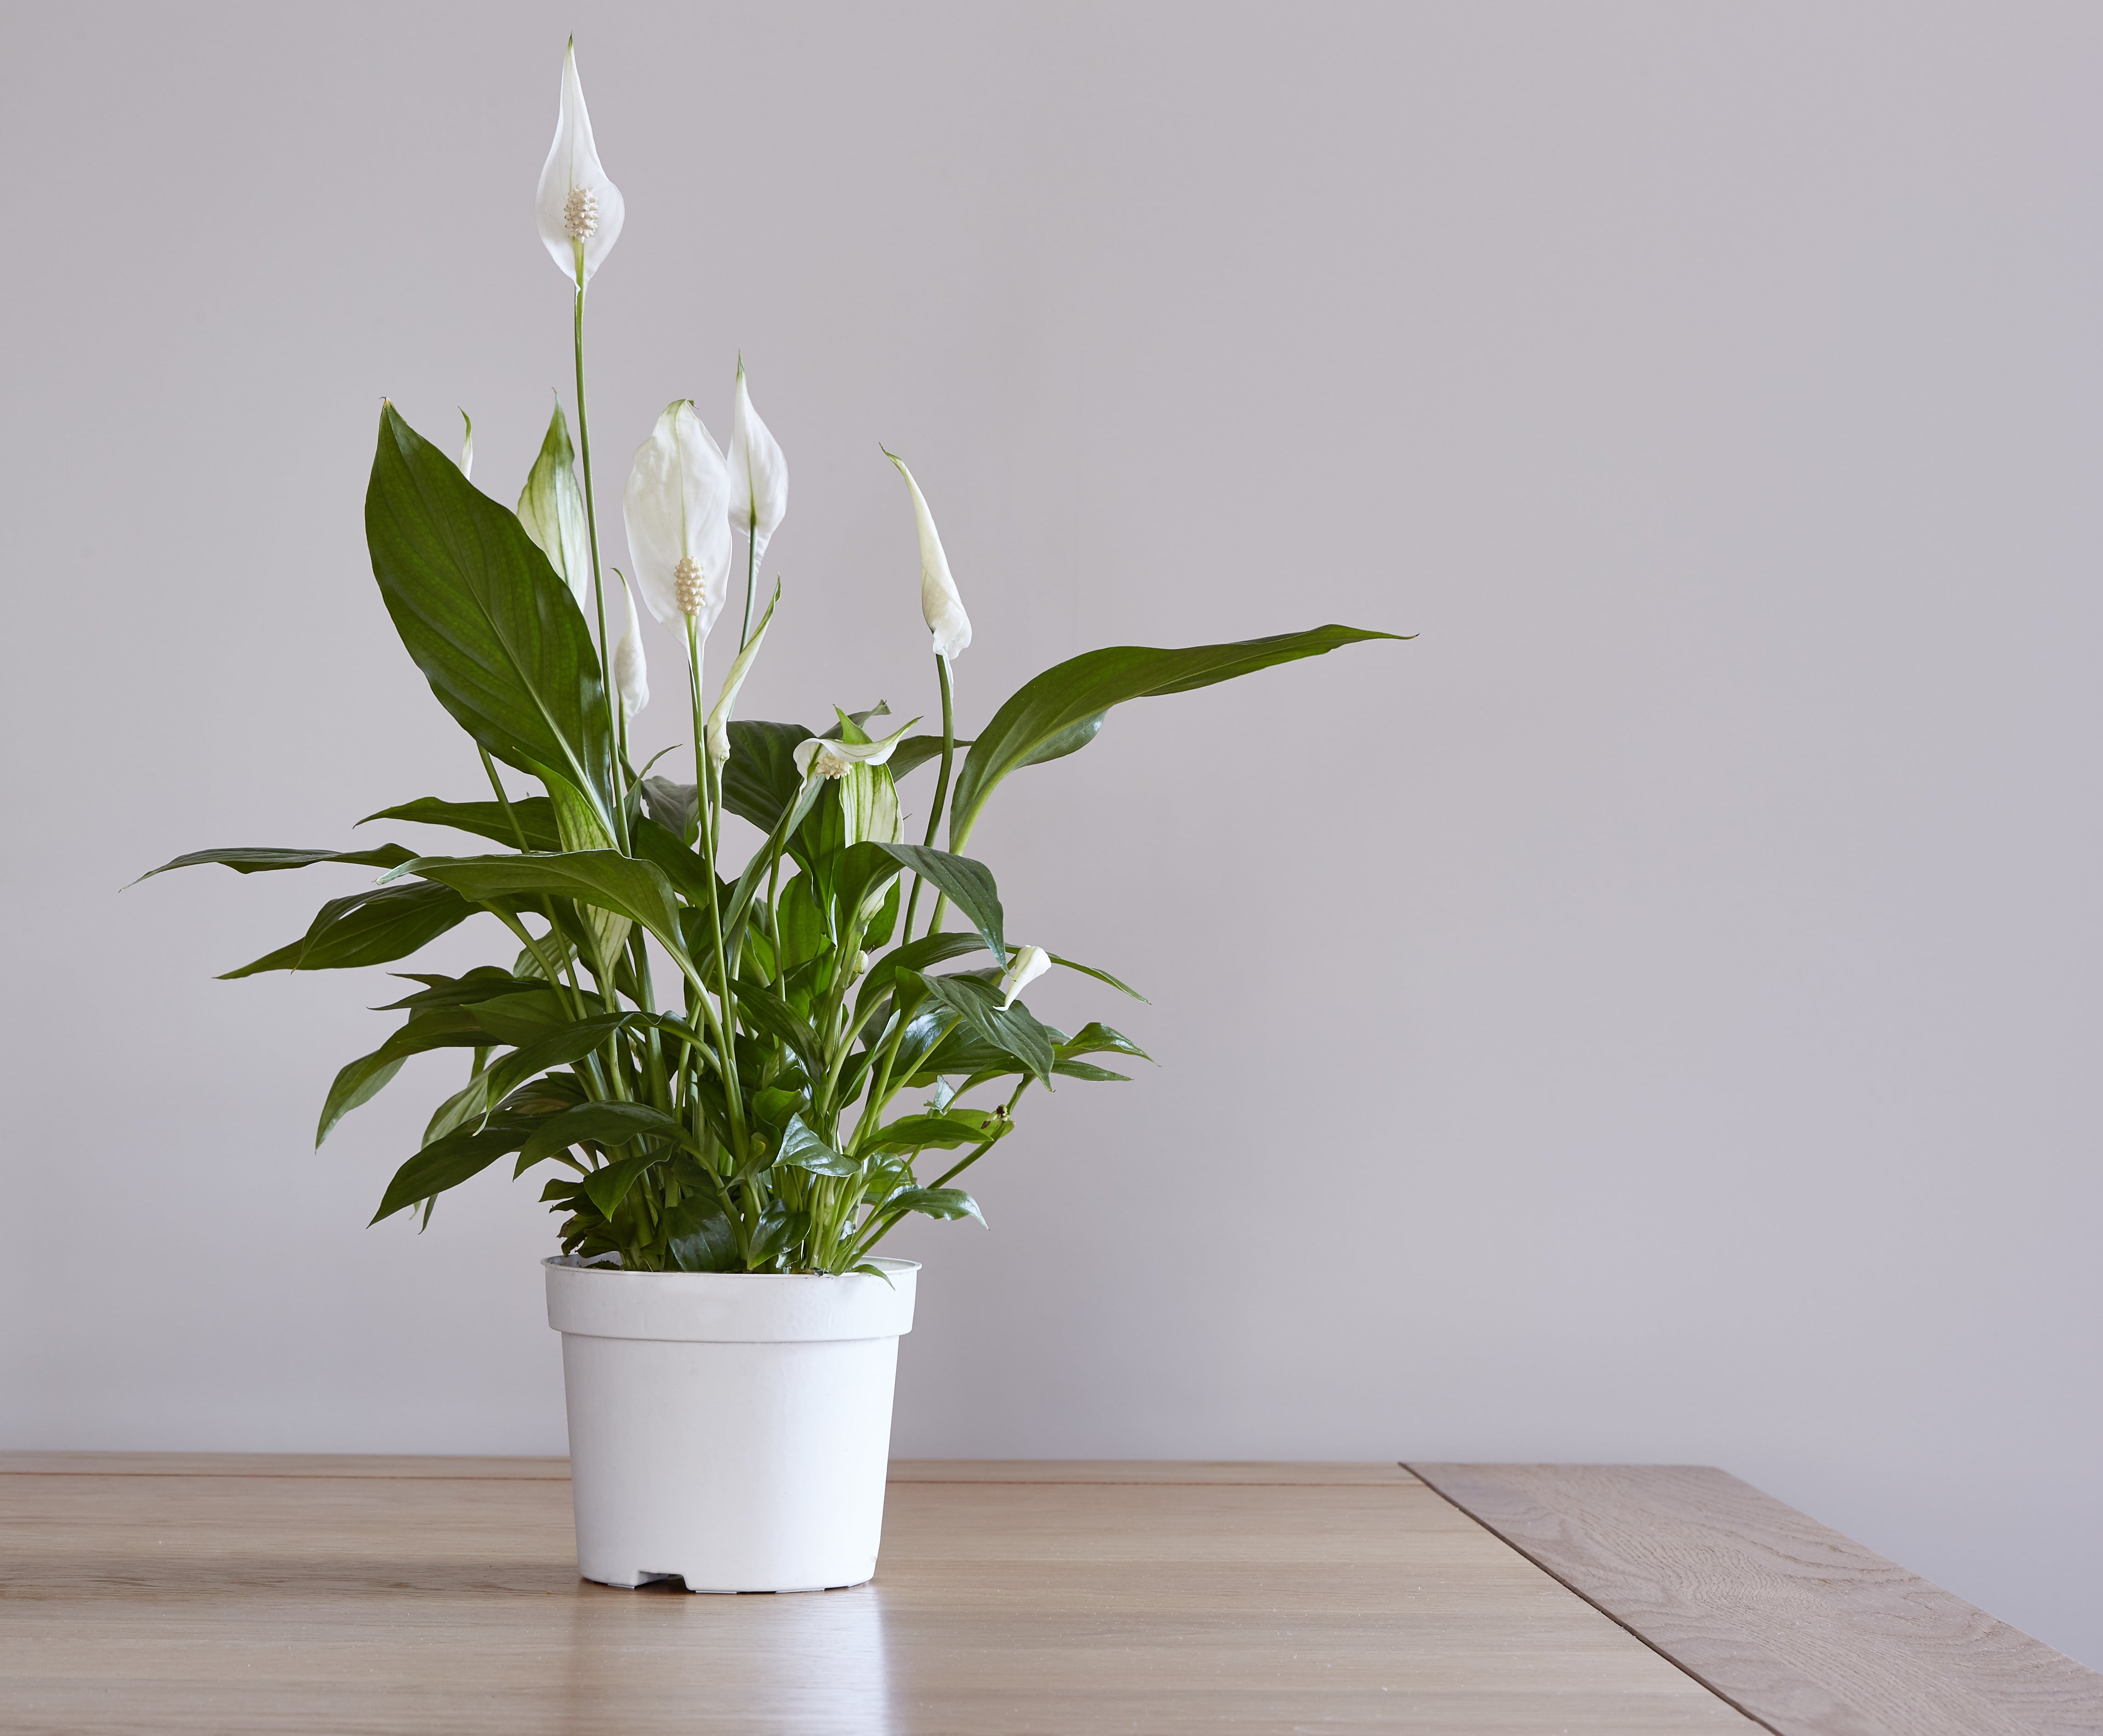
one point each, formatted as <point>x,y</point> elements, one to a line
<point>390,1598</point>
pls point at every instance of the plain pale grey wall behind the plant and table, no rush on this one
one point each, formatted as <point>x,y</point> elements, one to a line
<point>1650,1017</point>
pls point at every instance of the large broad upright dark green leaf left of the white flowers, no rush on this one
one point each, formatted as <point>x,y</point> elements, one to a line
<point>483,613</point>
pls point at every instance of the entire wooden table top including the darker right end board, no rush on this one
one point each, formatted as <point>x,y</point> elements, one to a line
<point>262,1594</point>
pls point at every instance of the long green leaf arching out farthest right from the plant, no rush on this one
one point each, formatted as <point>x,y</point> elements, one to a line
<point>1061,710</point>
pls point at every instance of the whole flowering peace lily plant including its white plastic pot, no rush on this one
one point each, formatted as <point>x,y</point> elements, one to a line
<point>828,1053</point>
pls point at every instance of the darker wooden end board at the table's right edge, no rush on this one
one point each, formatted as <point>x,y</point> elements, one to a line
<point>1801,1628</point>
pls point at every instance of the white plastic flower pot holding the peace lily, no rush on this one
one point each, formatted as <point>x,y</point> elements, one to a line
<point>731,1430</point>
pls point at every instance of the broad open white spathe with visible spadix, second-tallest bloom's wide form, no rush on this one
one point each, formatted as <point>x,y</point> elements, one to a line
<point>678,519</point>
